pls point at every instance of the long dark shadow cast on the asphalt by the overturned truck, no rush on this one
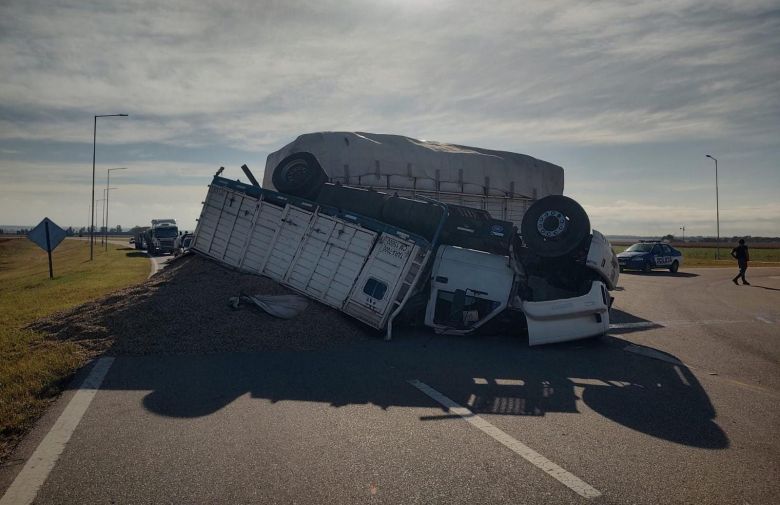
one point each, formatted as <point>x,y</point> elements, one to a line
<point>490,375</point>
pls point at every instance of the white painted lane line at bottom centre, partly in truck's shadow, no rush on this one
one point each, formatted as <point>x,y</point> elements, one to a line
<point>569,480</point>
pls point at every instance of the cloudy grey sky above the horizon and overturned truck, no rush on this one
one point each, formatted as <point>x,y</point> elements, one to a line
<point>627,96</point>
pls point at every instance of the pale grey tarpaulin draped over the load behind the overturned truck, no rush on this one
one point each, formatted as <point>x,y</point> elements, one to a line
<point>395,161</point>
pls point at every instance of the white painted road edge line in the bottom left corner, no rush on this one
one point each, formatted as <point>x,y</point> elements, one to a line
<point>23,489</point>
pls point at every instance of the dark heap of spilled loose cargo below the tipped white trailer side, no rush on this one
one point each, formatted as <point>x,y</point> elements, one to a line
<point>184,309</point>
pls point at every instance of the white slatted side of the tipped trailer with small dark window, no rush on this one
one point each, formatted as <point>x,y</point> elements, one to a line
<point>363,272</point>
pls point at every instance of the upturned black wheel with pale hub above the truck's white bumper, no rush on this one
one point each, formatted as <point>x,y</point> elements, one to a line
<point>554,226</point>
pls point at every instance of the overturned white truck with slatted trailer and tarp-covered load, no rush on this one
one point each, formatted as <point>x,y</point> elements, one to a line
<point>388,229</point>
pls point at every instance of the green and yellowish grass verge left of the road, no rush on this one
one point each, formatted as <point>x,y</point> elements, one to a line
<point>34,369</point>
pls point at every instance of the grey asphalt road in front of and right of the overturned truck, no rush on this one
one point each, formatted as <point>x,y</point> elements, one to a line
<point>679,404</point>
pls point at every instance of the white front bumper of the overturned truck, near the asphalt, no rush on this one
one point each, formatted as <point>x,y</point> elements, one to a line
<point>568,319</point>
